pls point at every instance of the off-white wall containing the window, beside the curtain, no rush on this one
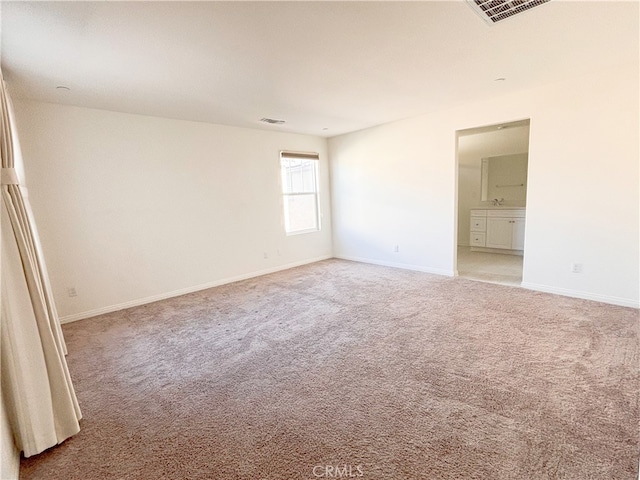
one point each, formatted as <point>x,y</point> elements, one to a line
<point>132,208</point>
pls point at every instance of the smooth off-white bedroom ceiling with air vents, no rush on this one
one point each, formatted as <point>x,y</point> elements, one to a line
<point>326,68</point>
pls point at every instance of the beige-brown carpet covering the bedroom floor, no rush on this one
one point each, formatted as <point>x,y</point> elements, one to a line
<point>339,368</point>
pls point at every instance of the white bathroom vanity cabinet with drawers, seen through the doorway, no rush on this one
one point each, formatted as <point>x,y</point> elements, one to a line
<point>498,230</point>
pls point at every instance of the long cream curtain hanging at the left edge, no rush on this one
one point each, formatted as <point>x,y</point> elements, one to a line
<point>36,386</point>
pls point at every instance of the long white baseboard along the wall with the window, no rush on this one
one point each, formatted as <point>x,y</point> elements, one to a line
<point>183,291</point>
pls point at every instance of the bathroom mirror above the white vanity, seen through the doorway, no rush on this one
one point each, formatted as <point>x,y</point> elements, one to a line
<point>505,177</point>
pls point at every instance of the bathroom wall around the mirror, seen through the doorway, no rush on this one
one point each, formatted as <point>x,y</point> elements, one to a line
<point>471,149</point>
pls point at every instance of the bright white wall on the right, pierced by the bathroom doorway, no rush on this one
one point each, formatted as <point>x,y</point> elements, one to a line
<point>396,184</point>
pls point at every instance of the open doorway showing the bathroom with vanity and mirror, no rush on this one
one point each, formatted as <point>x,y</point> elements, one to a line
<point>492,170</point>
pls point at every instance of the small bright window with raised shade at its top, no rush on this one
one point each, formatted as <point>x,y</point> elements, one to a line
<point>300,192</point>
